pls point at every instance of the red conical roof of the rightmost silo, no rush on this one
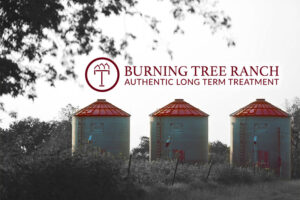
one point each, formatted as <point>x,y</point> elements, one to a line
<point>260,108</point>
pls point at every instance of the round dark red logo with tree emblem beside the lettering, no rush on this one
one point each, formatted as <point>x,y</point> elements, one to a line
<point>102,74</point>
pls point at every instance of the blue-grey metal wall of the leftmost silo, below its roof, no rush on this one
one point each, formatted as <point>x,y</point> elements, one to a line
<point>111,134</point>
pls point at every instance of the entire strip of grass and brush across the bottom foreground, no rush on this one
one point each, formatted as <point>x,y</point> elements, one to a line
<point>91,177</point>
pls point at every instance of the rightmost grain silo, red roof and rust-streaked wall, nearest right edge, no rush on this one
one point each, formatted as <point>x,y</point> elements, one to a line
<point>261,136</point>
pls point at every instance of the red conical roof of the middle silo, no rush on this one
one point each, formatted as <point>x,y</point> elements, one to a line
<point>179,108</point>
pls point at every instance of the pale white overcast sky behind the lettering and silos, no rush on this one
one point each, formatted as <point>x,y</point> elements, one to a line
<point>266,32</point>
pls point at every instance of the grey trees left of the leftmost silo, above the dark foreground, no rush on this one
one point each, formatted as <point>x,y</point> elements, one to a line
<point>31,137</point>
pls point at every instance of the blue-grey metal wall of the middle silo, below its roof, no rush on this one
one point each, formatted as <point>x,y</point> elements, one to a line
<point>189,138</point>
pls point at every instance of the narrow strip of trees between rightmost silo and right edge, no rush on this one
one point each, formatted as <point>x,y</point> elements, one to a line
<point>294,110</point>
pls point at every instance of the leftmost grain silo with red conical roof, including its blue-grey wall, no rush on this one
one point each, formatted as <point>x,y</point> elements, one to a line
<point>103,125</point>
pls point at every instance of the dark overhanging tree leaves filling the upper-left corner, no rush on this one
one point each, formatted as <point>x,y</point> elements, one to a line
<point>34,30</point>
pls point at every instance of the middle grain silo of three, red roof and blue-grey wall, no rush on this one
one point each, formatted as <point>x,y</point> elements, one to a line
<point>179,130</point>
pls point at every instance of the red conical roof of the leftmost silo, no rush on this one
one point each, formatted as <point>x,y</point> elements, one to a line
<point>101,108</point>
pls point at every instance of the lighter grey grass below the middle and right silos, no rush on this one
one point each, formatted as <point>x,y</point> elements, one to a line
<point>224,183</point>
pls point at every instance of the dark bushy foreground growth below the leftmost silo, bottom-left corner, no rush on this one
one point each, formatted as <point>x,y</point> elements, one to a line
<point>70,177</point>
